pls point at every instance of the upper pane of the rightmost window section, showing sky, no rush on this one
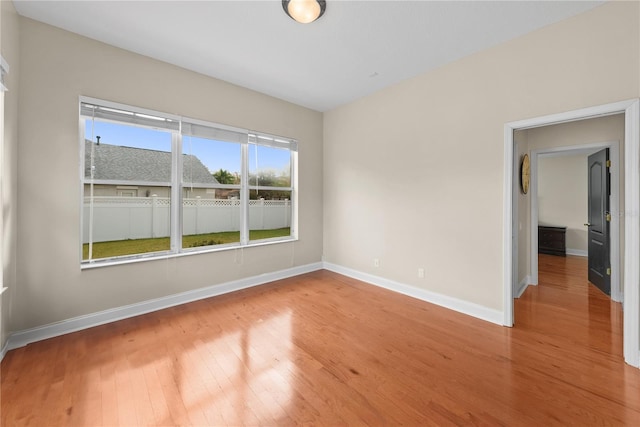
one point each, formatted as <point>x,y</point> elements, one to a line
<point>269,166</point>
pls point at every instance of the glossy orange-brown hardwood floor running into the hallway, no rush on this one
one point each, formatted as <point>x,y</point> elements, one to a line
<point>323,349</point>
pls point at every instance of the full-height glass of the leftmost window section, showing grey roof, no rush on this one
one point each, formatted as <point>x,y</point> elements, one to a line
<point>126,208</point>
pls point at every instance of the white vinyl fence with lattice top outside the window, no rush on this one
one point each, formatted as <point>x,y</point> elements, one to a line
<point>122,218</point>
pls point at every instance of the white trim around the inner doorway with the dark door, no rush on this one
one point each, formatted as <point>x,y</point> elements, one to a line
<point>614,150</point>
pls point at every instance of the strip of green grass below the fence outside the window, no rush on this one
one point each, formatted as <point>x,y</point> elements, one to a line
<point>142,246</point>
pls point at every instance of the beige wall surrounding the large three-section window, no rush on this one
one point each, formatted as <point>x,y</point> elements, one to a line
<point>56,68</point>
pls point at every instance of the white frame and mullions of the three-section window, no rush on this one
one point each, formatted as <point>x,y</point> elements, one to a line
<point>177,186</point>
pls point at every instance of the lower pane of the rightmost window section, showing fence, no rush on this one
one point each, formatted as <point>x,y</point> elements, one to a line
<point>270,215</point>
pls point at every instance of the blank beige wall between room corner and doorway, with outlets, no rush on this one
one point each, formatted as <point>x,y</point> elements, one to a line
<point>413,175</point>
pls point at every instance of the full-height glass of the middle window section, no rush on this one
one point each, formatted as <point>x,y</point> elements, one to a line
<point>211,210</point>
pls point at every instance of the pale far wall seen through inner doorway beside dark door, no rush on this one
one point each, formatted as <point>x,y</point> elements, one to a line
<point>562,198</point>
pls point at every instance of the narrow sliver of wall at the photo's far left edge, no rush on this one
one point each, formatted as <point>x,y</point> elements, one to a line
<point>9,34</point>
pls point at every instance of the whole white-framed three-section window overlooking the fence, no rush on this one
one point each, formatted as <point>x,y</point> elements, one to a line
<point>155,184</point>
